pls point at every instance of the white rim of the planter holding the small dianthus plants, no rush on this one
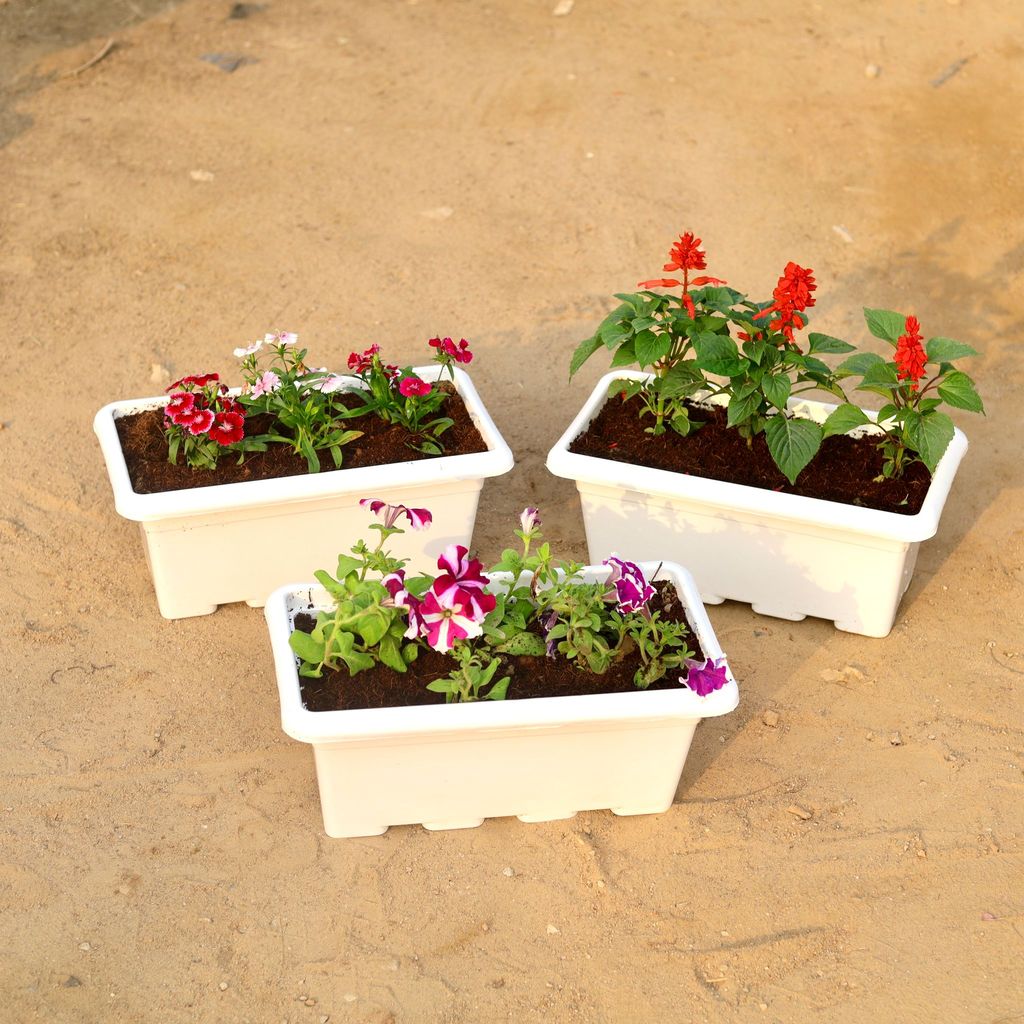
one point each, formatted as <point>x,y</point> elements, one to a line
<point>253,494</point>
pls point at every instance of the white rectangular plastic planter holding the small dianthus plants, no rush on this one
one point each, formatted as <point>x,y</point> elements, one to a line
<point>237,542</point>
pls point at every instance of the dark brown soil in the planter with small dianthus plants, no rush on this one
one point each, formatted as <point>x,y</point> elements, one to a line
<point>145,449</point>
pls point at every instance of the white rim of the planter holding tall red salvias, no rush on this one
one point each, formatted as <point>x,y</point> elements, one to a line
<point>723,495</point>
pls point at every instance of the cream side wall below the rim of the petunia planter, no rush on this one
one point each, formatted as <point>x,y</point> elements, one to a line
<point>434,781</point>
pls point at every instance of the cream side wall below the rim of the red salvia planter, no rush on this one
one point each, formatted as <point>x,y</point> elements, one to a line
<point>788,573</point>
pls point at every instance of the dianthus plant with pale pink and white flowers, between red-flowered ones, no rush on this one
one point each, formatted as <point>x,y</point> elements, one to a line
<point>302,401</point>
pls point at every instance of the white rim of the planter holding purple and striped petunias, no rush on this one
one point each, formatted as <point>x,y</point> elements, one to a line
<point>481,716</point>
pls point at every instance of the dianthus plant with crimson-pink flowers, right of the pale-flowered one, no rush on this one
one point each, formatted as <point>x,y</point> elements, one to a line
<point>403,398</point>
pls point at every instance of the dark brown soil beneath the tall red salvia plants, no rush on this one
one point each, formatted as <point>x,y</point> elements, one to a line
<point>844,471</point>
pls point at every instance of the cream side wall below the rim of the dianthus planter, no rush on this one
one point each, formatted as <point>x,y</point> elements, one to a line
<point>269,546</point>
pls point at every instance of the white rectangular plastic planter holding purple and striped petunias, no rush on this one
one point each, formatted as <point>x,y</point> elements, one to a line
<point>451,766</point>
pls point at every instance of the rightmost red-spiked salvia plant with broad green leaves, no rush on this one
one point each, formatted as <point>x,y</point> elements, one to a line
<point>916,382</point>
